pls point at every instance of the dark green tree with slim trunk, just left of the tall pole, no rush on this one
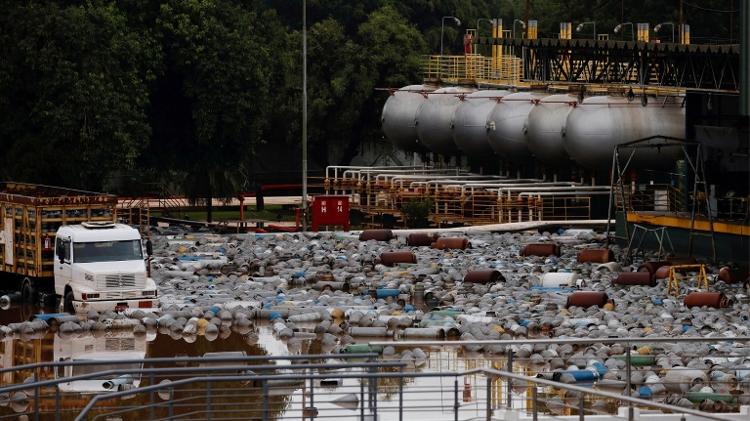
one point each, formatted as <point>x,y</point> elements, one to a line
<point>213,93</point>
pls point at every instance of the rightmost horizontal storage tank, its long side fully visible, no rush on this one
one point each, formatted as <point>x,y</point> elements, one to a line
<point>600,123</point>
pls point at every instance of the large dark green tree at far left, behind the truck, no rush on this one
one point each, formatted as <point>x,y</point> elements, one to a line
<point>75,81</point>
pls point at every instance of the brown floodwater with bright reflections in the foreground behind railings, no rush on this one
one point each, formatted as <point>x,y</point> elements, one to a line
<point>428,398</point>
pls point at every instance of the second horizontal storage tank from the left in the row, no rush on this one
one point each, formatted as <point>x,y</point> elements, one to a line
<point>435,119</point>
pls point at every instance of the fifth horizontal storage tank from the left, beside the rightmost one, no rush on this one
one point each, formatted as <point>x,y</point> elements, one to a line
<point>547,127</point>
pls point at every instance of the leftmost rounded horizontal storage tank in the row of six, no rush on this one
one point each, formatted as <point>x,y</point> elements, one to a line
<point>399,116</point>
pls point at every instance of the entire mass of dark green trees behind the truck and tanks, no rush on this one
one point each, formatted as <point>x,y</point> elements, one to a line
<point>131,95</point>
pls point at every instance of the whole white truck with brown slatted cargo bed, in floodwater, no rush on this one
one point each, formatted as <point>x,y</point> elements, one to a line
<point>64,243</point>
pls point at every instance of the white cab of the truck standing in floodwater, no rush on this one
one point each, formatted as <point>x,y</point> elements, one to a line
<point>100,266</point>
